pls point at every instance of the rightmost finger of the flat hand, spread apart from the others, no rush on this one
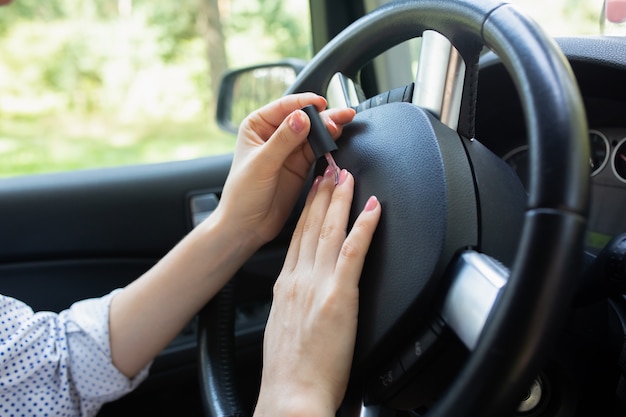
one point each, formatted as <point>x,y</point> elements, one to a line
<point>356,245</point>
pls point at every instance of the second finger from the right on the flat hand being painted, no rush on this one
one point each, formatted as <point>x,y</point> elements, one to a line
<point>333,232</point>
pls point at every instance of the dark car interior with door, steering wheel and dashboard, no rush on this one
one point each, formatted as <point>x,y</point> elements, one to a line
<point>496,281</point>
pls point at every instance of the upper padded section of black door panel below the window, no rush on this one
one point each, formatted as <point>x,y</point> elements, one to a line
<point>125,212</point>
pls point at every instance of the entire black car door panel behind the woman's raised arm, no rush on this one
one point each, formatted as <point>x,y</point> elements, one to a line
<point>82,234</point>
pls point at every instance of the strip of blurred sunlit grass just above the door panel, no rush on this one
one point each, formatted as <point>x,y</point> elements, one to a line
<point>55,143</point>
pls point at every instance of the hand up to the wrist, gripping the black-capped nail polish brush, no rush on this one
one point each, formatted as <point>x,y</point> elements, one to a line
<point>271,163</point>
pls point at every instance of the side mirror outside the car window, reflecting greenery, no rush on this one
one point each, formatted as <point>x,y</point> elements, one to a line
<point>244,90</point>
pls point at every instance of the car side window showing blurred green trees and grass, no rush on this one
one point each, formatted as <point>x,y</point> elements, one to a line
<point>96,83</point>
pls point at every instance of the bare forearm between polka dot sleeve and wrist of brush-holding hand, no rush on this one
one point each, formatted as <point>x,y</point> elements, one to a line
<point>152,310</point>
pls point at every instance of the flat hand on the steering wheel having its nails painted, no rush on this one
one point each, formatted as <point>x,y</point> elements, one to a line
<point>310,334</point>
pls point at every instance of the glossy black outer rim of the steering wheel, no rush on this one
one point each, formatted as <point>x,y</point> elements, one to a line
<point>504,360</point>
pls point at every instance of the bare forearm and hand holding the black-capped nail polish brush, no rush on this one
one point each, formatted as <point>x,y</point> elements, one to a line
<point>270,166</point>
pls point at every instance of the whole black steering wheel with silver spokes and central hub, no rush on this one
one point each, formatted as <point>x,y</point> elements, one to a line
<point>469,276</point>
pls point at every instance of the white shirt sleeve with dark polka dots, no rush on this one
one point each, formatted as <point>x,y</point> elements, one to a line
<point>58,364</point>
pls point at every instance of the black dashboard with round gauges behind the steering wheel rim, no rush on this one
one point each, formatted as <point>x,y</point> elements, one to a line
<point>599,65</point>
